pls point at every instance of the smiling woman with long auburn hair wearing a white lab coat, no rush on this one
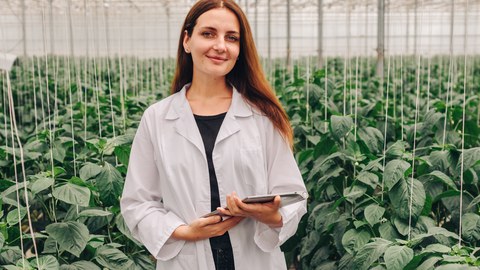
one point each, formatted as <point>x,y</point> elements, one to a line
<point>222,135</point>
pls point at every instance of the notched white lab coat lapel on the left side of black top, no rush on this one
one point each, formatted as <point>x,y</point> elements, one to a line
<point>185,124</point>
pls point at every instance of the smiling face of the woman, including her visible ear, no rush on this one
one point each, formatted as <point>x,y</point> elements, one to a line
<point>215,43</point>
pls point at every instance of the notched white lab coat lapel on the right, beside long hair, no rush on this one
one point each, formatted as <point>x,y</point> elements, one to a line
<point>238,108</point>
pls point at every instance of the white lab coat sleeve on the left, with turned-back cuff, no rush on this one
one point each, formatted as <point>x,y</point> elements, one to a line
<point>141,202</point>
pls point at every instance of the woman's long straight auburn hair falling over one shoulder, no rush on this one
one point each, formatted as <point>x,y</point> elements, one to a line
<point>247,75</point>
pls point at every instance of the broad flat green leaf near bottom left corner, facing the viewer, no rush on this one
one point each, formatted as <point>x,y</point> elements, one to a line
<point>72,236</point>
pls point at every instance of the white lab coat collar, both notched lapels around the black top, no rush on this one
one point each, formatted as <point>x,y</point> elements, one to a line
<point>185,124</point>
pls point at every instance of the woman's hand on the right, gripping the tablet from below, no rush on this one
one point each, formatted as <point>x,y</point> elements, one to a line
<point>264,212</point>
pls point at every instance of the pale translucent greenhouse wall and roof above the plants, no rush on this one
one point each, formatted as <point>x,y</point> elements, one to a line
<point>282,28</point>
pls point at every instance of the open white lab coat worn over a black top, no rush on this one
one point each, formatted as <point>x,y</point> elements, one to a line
<point>168,185</point>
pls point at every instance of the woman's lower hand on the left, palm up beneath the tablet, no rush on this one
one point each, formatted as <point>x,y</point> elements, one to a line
<point>204,228</point>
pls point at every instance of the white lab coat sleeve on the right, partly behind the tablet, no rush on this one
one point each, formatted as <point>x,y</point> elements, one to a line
<point>283,176</point>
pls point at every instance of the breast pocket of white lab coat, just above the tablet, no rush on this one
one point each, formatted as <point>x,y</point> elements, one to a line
<point>253,170</point>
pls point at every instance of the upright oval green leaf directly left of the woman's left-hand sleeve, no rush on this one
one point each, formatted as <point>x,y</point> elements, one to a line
<point>110,184</point>
